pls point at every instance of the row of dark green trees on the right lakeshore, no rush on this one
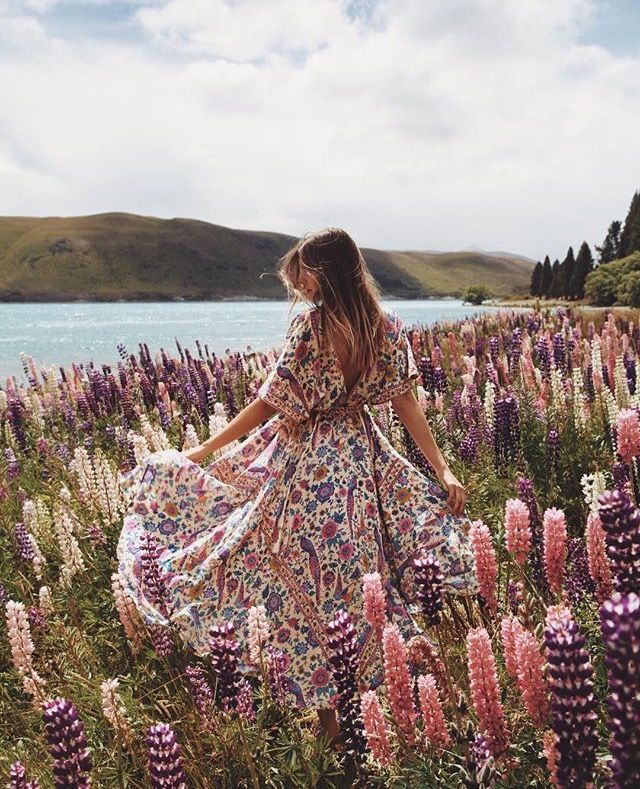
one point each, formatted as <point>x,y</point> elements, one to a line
<point>568,279</point>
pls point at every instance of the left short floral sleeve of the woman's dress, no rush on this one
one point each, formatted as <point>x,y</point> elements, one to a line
<point>290,386</point>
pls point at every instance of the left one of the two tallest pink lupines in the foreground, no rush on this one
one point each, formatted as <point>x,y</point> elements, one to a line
<point>398,681</point>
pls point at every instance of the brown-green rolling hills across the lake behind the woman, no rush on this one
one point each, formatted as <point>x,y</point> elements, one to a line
<point>120,256</point>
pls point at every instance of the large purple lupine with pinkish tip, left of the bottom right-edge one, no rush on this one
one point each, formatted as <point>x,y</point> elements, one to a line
<point>573,706</point>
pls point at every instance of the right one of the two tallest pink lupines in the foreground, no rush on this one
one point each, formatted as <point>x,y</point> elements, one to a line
<point>485,692</point>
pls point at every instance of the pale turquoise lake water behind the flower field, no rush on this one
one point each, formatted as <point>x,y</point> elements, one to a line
<point>58,334</point>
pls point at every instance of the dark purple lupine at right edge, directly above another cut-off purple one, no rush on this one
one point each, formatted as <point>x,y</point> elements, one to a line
<point>621,523</point>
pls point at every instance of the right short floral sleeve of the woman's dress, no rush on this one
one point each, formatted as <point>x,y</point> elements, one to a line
<point>396,367</point>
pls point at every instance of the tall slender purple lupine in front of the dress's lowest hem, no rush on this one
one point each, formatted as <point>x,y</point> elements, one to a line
<point>343,664</point>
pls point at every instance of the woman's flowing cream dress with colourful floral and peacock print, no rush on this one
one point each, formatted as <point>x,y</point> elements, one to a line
<point>293,517</point>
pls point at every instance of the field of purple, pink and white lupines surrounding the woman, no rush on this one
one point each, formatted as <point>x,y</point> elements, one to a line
<point>533,682</point>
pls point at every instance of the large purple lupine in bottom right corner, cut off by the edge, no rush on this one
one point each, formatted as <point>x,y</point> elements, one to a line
<point>620,620</point>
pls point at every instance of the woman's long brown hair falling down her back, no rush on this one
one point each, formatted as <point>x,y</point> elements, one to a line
<point>349,296</point>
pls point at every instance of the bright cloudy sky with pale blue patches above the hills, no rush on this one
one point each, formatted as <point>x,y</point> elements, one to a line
<point>414,124</point>
